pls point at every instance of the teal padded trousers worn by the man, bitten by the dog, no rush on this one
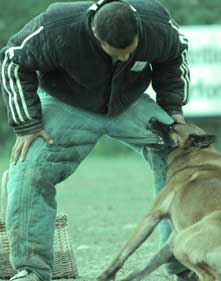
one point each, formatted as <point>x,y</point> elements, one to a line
<point>31,210</point>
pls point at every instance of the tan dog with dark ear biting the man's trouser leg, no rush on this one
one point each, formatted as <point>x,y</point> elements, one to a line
<point>191,199</point>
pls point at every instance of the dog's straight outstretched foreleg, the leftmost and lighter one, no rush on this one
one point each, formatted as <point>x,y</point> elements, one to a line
<point>140,234</point>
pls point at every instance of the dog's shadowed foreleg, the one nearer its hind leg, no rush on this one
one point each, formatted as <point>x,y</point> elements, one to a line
<point>159,258</point>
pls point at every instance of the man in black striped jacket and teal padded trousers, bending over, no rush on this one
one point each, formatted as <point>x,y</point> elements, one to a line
<point>74,73</point>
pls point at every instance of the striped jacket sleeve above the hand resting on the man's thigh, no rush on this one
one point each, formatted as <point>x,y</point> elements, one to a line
<point>25,54</point>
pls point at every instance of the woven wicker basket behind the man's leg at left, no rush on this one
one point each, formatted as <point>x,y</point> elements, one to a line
<point>64,266</point>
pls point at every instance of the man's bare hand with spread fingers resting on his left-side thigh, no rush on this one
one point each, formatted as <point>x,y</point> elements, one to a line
<point>23,142</point>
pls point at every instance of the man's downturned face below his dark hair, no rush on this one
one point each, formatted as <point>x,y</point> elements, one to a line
<point>118,54</point>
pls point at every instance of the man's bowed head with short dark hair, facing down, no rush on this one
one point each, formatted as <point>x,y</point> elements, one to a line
<point>115,26</point>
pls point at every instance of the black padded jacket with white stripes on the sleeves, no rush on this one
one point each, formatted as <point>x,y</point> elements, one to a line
<point>58,51</point>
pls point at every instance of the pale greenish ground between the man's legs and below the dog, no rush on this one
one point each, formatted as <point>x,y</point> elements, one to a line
<point>104,200</point>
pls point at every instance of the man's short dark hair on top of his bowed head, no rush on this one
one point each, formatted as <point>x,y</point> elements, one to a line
<point>116,24</point>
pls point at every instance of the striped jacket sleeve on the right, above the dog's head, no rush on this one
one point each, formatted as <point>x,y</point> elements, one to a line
<point>171,75</point>
